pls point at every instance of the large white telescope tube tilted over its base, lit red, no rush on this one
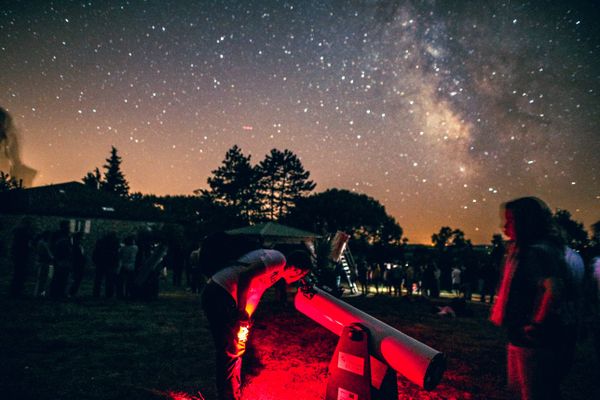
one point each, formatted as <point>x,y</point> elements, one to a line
<point>416,361</point>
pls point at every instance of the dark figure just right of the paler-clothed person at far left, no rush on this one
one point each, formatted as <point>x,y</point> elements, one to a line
<point>62,250</point>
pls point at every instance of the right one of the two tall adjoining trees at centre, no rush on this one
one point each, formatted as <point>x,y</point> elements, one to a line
<point>282,182</point>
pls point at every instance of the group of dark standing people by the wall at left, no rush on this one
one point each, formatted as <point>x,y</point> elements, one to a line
<point>57,262</point>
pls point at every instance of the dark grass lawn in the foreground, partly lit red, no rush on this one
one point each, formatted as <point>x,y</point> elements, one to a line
<point>109,349</point>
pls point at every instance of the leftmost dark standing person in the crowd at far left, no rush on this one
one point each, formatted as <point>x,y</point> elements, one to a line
<point>21,256</point>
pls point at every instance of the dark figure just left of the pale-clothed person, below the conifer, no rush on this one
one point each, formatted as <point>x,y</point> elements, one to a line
<point>106,260</point>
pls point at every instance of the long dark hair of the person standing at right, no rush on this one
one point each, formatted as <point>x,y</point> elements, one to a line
<point>533,221</point>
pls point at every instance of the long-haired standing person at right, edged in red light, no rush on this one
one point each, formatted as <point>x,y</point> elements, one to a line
<point>534,287</point>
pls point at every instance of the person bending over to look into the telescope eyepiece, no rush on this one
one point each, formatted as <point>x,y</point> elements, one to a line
<point>231,297</point>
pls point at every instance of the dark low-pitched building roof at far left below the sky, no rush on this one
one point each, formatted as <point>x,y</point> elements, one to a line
<point>74,199</point>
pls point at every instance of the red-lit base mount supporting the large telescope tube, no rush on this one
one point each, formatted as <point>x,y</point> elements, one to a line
<point>355,374</point>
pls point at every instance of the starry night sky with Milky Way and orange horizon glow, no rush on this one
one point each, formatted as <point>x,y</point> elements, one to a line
<point>441,110</point>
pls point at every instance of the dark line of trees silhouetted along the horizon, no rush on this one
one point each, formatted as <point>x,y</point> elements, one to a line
<point>278,188</point>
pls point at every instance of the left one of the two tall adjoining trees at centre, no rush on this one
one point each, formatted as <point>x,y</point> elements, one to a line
<point>233,184</point>
